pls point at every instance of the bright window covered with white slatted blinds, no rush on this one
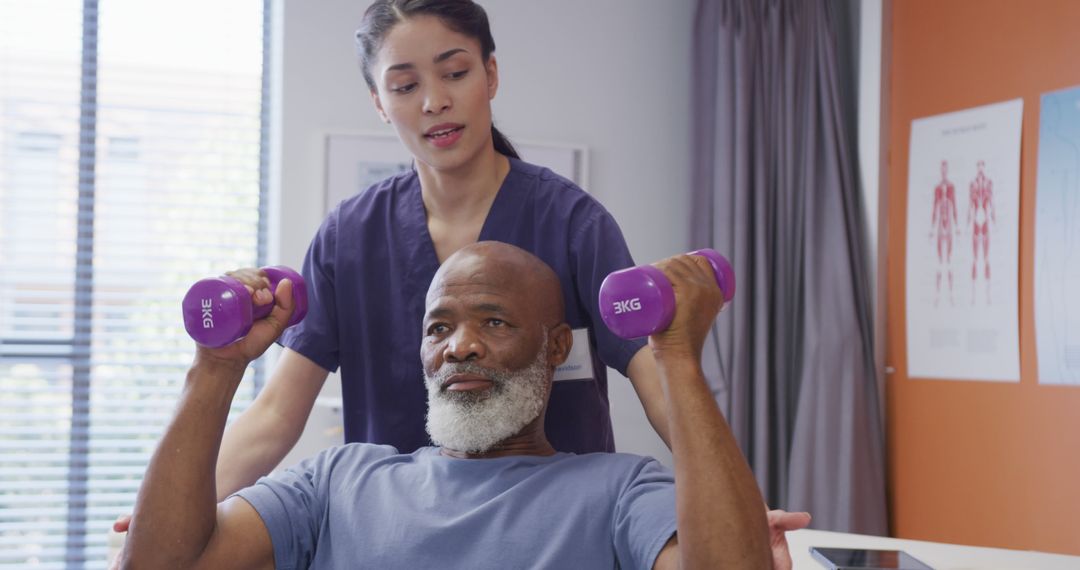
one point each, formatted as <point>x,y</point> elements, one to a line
<point>133,162</point>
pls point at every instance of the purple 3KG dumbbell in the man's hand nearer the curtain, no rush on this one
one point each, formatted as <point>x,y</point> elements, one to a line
<point>640,302</point>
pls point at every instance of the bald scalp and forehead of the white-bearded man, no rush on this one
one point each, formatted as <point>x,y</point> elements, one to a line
<point>509,269</point>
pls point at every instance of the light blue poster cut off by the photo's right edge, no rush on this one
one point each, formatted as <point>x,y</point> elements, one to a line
<point>1058,240</point>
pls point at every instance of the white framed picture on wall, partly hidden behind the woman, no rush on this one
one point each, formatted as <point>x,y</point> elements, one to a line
<point>356,161</point>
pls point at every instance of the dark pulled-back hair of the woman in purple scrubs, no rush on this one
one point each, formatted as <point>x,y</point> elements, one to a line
<point>463,17</point>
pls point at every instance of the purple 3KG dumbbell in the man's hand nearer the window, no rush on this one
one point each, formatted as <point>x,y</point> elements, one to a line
<point>219,311</point>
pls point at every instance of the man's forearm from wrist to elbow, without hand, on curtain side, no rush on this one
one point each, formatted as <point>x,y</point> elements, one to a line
<point>719,506</point>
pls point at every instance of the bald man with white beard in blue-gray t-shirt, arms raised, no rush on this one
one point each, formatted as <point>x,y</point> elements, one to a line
<point>494,494</point>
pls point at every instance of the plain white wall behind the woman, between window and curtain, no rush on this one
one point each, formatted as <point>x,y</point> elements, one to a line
<point>611,75</point>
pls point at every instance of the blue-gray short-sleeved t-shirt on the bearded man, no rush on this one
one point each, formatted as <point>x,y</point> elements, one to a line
<point>363,506</point>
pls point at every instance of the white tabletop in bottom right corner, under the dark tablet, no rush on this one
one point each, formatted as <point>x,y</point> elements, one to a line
<point>939,555</point>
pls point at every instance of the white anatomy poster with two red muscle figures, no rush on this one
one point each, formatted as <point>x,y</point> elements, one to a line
<point>963,241</point>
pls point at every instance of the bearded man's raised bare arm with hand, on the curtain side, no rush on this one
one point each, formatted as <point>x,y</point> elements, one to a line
<point>720,517</point>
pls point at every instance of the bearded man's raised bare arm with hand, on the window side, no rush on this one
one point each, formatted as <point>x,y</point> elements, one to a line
<point>178,522</point>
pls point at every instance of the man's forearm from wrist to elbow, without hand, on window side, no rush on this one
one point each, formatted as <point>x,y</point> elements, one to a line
<point>175,512</point>
